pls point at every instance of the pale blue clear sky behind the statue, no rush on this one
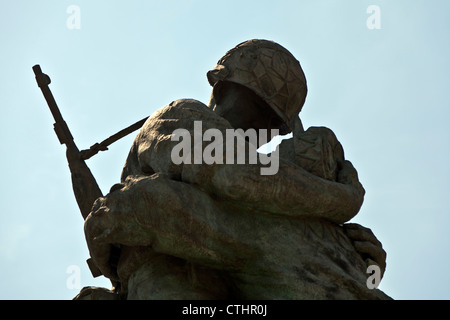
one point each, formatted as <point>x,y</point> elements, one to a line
<point>383,92</point>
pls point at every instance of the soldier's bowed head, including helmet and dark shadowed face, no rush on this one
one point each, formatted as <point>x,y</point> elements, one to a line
<point>258,84</point>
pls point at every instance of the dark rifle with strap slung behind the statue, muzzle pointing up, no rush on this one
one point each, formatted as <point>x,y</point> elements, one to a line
<point>84,185</point>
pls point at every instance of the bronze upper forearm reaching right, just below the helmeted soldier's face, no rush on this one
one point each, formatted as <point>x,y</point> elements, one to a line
<point>292,191</point>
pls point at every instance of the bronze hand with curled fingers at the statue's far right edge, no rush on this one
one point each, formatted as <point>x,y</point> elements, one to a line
<point>367,245</point>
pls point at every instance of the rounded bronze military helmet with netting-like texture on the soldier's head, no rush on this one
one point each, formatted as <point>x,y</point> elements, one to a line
<point>269,70</point>
